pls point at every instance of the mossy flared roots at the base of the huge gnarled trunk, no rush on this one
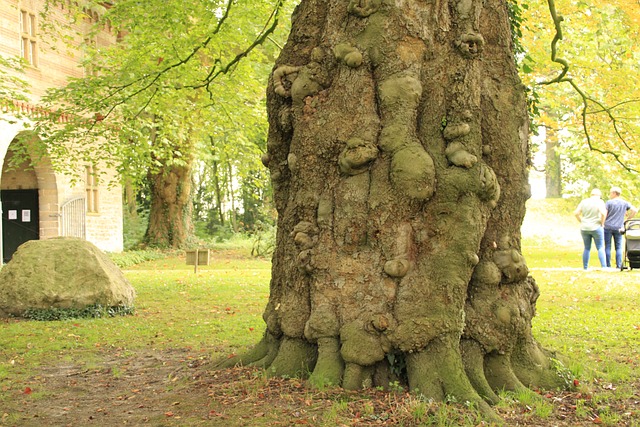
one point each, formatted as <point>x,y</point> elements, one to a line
<point>447,369</point>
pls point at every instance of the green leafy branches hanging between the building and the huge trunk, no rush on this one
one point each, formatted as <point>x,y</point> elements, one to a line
<point>179,75</point>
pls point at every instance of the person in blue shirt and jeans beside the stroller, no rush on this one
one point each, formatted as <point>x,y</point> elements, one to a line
<point>618,210</point>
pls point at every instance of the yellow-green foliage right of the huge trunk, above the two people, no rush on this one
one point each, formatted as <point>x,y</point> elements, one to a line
<point>594,109</point>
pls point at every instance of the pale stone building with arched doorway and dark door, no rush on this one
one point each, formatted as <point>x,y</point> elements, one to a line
<point>38,201</point>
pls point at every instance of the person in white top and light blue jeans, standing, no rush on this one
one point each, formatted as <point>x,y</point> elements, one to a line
<point>591,214</point>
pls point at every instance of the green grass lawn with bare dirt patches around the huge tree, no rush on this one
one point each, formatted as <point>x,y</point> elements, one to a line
<point>151,368</point>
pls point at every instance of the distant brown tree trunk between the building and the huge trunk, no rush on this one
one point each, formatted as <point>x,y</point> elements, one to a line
<point>170,224</point>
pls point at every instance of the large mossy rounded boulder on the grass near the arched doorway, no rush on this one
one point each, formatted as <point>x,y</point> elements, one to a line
<point>61,273</point>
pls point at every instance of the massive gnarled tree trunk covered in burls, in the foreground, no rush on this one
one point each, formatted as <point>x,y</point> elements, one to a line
<point>398,155</point>
